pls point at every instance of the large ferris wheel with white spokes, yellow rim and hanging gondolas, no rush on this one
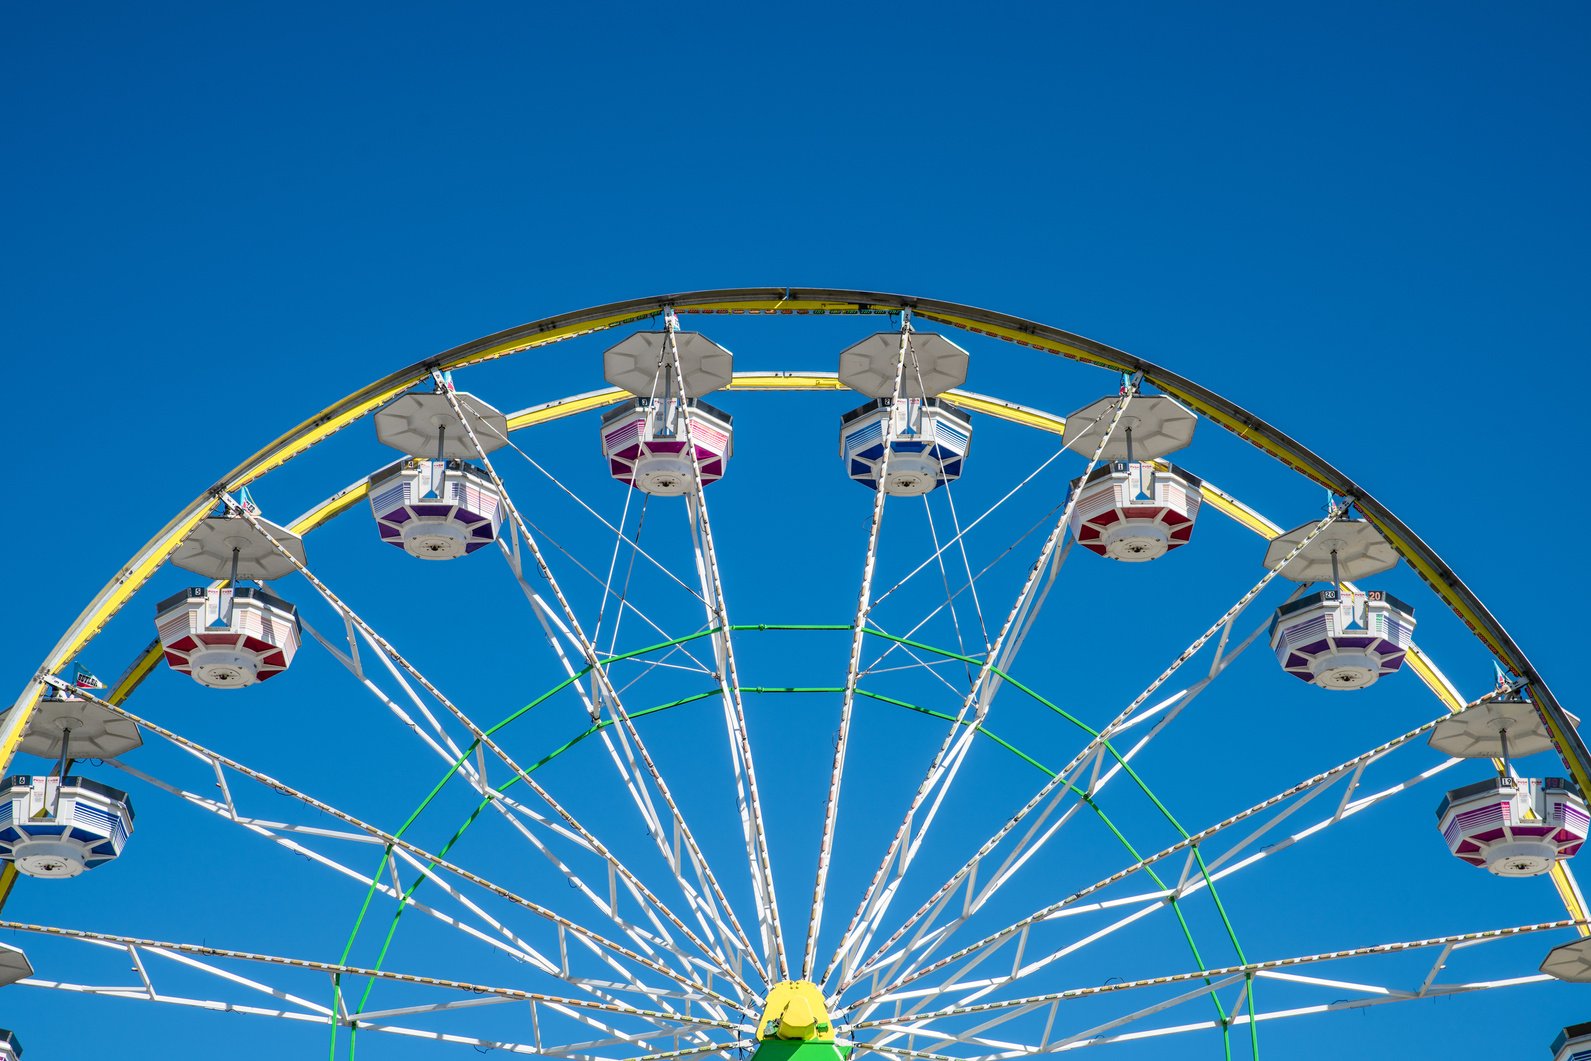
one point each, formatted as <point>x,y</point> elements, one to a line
<point>787,672</point>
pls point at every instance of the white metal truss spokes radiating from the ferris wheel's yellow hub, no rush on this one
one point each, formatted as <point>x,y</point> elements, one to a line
<point>895,966</point>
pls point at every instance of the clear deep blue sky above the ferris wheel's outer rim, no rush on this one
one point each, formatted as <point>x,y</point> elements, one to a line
<point>1364,222</point>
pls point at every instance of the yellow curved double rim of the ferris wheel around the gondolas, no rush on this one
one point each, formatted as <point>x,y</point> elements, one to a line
<point>1024,333</point>
